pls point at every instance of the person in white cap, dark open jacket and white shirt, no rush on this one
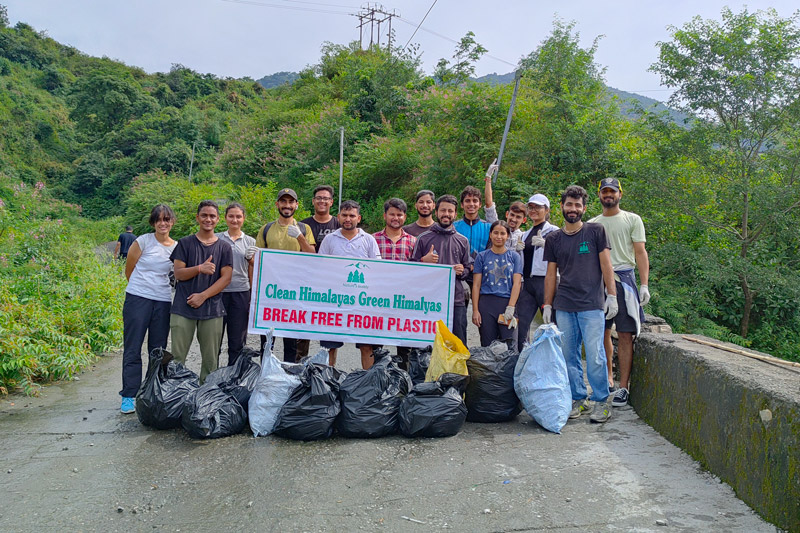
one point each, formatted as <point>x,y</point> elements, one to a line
<point>534,267</point>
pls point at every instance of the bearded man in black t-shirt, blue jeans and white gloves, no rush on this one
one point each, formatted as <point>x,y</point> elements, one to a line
<point>580,252</point>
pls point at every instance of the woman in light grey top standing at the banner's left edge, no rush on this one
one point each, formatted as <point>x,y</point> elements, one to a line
<point>236,296</point>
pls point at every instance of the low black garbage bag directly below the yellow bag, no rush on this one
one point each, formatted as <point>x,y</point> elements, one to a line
<point>434,409</point>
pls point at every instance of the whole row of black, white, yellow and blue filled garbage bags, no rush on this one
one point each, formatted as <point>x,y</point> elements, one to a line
<point>447,384</point>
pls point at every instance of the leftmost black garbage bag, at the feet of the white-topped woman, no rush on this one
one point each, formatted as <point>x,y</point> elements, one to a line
<point>159,402</point>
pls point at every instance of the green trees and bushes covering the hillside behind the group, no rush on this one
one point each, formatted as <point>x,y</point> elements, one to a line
<point>719,199</point>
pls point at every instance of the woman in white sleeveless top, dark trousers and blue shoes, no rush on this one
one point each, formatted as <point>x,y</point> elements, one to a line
<point>148,299</point>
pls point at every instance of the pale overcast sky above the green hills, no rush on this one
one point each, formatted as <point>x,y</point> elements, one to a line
<point>258,37</point>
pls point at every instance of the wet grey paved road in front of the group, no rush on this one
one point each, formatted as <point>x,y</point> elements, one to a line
<point>71,462</point>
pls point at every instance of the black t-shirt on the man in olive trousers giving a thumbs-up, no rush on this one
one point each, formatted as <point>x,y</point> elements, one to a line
<point>193,252</point>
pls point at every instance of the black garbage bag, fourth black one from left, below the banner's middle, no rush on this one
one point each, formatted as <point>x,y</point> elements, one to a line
<point>371,398</point>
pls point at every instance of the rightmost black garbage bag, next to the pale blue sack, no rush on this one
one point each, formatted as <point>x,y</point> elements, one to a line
<point>490,395</point>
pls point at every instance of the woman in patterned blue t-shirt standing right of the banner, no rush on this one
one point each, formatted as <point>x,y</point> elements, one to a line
<point>496,282</point>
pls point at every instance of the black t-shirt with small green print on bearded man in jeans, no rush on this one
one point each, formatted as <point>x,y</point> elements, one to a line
<point>578,258</point>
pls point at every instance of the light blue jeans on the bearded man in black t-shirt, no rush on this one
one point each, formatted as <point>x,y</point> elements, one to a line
<point>585,327</point>
